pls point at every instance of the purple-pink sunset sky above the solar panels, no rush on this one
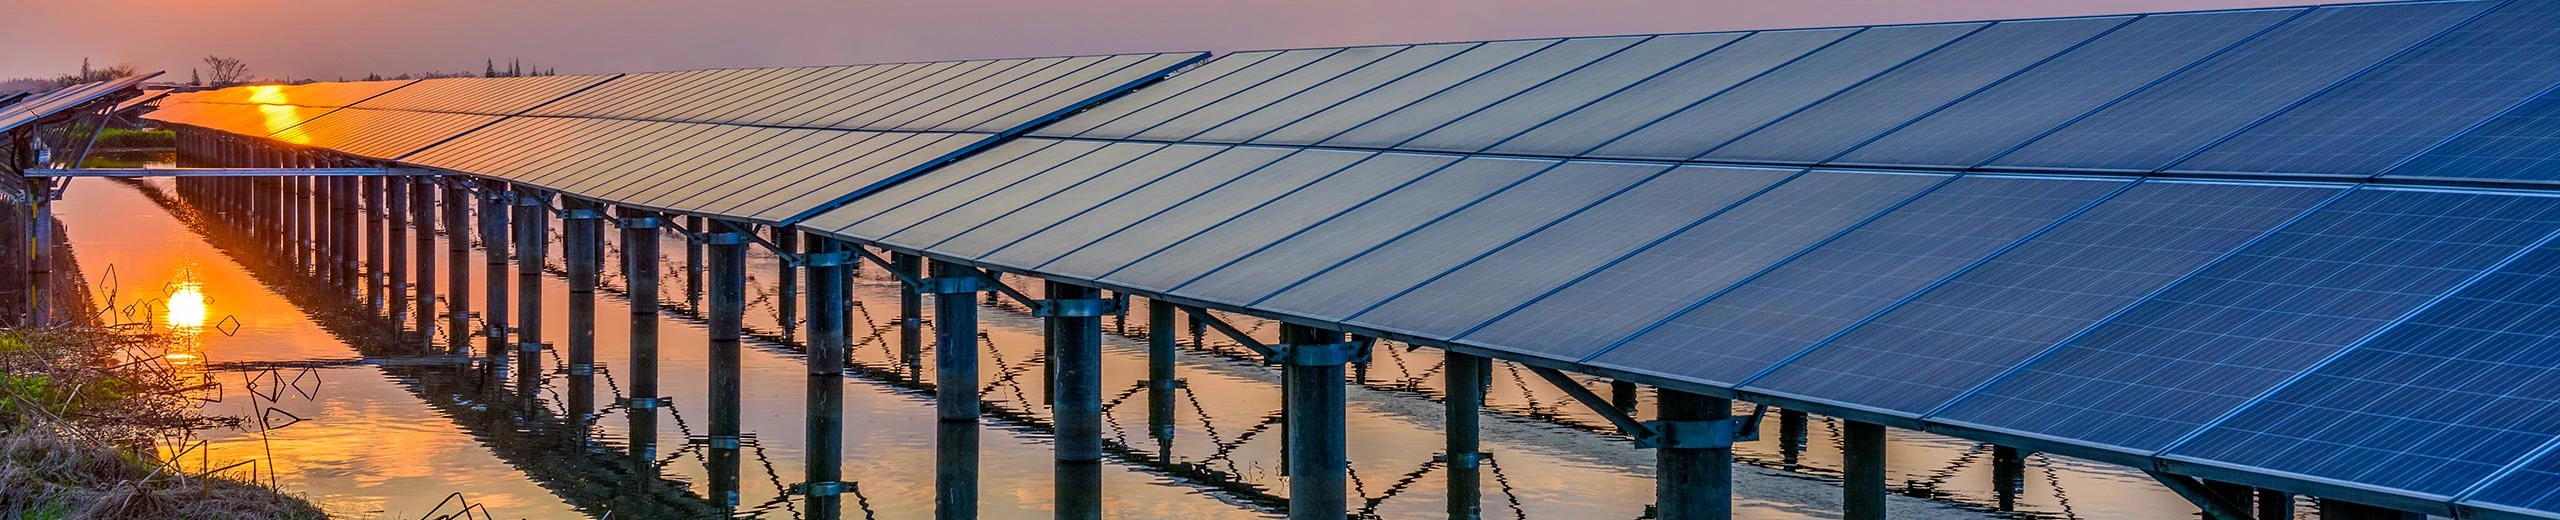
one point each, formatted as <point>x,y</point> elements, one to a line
<point>337,40</point>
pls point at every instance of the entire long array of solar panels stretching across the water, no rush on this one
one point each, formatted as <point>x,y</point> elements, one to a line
<point>1530,199</point>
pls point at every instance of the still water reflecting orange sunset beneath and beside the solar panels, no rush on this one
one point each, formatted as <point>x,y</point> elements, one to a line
<point>375,427</point>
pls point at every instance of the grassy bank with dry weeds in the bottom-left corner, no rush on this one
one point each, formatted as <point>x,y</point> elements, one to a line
<point>81,411</point>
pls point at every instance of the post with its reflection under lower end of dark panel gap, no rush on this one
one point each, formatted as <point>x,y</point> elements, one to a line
<point>828,345</point>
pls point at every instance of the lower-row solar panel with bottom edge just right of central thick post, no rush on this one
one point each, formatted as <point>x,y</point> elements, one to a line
<point>1509,278</point>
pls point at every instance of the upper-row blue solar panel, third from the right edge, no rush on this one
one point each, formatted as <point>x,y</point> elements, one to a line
<point>2239,88</point>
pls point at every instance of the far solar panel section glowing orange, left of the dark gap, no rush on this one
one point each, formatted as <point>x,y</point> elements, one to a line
<point>751,145</point>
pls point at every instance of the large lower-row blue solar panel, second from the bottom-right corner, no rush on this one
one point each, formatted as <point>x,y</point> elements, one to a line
<point>2431,406</point>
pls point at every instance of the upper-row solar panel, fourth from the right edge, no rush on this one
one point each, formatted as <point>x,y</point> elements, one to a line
<point>2070,86</point>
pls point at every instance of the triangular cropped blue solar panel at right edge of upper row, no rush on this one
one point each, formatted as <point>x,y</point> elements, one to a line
<point>2523,145</point>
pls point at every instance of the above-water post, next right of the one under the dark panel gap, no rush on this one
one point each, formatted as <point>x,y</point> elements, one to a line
<point>956,342</point>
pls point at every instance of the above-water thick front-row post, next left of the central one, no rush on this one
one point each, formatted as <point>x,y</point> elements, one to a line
<point>1079,337</point>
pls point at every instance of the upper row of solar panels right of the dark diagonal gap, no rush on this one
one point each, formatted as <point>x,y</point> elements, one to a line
<point>2292,91</point>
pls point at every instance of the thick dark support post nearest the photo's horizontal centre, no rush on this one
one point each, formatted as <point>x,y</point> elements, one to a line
<point>1315,411</point>
